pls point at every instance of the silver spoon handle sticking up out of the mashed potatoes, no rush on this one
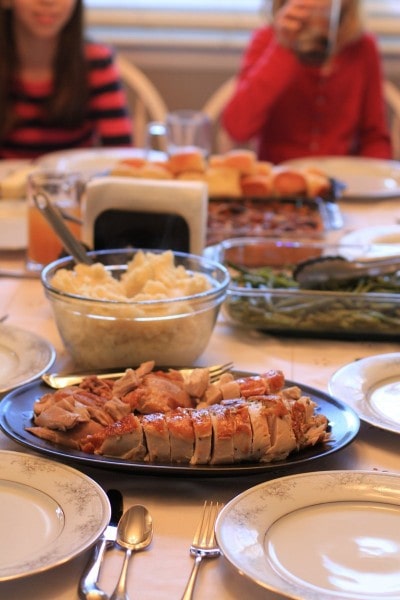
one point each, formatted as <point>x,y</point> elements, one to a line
<point>52,213</point>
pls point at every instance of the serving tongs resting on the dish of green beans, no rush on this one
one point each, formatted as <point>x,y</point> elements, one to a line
<point>330,269</point>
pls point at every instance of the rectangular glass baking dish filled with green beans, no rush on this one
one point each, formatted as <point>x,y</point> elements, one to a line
<point>264,293</point>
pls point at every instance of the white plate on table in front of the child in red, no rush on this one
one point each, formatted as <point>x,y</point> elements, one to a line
<point>365,178</point>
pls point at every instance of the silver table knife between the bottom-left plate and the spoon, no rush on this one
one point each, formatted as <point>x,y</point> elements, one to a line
<point>88,581</point>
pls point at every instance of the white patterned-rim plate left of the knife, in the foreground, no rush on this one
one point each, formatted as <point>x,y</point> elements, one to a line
<point>49,513</point>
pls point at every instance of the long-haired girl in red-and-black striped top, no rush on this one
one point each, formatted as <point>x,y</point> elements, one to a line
<point>57,89</point>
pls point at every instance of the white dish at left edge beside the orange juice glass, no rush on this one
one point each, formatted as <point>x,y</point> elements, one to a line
<point>13,224</point>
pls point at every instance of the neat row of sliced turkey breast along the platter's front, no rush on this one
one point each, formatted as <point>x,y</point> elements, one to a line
<point>259,429</point>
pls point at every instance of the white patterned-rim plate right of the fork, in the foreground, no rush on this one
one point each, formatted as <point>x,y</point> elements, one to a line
<point>330,535</point>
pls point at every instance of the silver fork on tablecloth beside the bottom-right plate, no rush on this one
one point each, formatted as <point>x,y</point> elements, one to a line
<point>204,544</point>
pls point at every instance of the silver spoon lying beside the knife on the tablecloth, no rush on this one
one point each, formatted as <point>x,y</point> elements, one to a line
<point>135,532</point>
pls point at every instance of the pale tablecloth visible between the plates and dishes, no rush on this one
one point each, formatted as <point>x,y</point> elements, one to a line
<point>160,572</point>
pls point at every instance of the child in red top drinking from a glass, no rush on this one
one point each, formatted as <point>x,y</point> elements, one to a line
<point>293,107</point>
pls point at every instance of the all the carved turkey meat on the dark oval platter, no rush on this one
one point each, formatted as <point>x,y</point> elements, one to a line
<point>250,419</point>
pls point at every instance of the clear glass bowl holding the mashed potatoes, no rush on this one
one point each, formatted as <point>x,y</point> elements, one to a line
<point>102,333</point>
